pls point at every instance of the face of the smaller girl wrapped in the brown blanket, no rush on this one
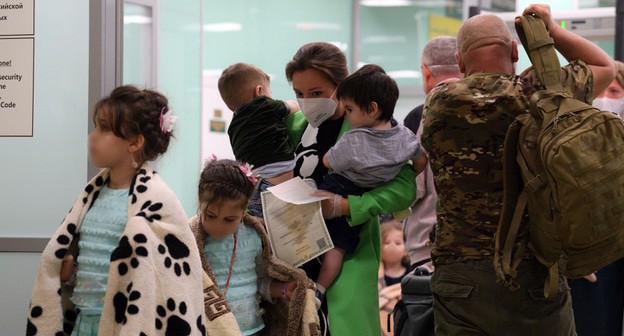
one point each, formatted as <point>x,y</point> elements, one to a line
<point>221,219</point>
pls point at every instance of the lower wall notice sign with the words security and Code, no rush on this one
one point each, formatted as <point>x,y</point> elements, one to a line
<point>16,86</point>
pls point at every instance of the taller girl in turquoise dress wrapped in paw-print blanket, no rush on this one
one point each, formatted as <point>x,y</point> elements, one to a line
<point>130,264</point>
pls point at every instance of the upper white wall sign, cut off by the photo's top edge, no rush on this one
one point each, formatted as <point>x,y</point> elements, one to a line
<point>17,17</point>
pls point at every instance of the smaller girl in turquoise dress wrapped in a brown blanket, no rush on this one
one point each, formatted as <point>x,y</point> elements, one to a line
<point>239,266</point>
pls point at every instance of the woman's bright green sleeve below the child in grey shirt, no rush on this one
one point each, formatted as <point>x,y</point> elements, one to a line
<point>396,195</point>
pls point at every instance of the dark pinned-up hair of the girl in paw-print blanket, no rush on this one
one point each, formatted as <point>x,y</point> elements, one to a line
<point>129,111</point>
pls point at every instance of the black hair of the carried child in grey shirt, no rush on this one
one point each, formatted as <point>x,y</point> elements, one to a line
<point>371,84</point>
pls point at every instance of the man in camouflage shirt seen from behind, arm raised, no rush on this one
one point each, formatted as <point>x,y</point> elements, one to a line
<point>465,123</point>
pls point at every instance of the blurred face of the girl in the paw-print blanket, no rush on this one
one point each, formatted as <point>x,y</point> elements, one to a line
<point>106,150</point>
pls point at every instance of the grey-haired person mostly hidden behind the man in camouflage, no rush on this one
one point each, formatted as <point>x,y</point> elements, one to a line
<point>438,65</point>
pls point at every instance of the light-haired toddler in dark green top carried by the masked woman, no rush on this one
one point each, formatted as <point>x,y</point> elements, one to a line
<point>258,131</point>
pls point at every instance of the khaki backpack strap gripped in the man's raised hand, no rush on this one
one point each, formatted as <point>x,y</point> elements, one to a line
<point>541,50</point>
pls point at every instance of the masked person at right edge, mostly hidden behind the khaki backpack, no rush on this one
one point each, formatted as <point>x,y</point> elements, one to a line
<point>598,299</point>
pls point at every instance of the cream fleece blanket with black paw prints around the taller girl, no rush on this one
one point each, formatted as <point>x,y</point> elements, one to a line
<point>155,276</point>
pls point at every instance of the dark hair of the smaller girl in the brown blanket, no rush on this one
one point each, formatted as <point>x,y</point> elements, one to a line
<point>224,180</point>
